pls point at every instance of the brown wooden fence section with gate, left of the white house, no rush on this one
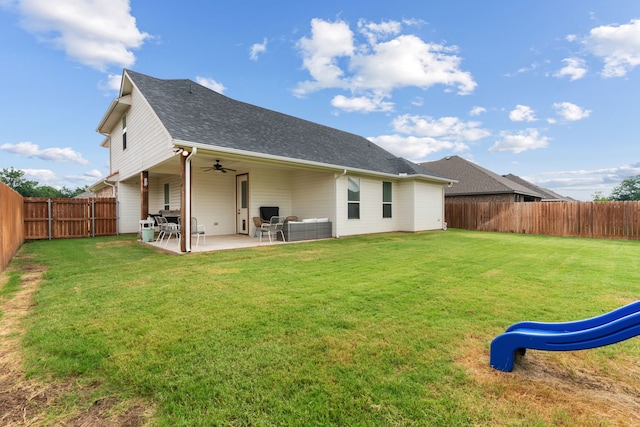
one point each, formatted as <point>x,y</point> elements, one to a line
<point>66,218</point>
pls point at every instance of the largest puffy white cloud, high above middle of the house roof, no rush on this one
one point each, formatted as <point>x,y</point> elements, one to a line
<point>374,67</point>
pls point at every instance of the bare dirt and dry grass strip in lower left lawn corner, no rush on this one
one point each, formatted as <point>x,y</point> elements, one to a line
<point>28,402</point>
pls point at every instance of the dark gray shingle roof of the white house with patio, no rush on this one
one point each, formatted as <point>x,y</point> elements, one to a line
<point>194,113</point>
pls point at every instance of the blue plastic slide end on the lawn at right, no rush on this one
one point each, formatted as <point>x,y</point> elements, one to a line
<point>610,328</point>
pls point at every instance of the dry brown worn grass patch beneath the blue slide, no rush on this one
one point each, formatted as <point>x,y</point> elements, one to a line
<point>562,388</point>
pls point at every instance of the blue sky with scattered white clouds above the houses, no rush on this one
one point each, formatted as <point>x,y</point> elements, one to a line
<point>545,90</point>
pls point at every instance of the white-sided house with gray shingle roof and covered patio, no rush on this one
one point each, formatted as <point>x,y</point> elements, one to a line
<point>177,145</point>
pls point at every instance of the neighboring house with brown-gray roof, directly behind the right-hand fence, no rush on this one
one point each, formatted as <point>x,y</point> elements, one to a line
<point>477,184</point>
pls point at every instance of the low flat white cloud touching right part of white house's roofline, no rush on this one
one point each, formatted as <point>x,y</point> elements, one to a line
<point>413,147</point>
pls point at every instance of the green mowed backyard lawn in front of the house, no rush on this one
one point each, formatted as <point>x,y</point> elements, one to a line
<point>368,330</point>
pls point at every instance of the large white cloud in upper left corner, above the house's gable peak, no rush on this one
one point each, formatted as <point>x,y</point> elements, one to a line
<point>97,33</point>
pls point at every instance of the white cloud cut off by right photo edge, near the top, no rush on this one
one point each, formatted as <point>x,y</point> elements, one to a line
<point>617,45</point>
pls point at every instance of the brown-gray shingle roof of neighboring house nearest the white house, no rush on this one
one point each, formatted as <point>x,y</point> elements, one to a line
<point>475,180</point>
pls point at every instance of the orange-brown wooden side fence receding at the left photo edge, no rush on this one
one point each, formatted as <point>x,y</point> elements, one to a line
<point>11,220</point>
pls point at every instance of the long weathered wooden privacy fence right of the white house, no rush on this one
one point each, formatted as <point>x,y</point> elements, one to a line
<point>608,220</point>
